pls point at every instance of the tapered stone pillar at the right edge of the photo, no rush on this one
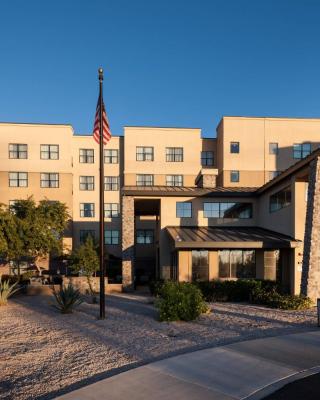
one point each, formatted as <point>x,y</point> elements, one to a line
<point>310,280</point>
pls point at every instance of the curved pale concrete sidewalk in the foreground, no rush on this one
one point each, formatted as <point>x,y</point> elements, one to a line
<point>244,370</point>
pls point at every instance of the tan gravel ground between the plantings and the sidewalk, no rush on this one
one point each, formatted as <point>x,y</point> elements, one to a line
<point>44,353</point>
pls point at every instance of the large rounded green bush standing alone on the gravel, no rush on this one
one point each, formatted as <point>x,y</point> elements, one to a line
<point>180,301</point>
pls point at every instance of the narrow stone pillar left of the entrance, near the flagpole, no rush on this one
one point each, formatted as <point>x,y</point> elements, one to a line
<point>127,242</point>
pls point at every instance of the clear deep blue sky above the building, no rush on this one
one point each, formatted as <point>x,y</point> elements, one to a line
<point>167,63</point>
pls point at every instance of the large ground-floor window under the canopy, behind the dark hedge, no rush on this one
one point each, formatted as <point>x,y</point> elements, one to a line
<point>237,264</point>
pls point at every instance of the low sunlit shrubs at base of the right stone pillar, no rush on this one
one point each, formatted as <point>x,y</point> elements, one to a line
<point>274,299</point>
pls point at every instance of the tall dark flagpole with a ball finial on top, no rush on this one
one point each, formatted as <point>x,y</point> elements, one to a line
<point>101,204</point>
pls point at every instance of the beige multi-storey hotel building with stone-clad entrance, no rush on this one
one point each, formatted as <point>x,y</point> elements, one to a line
<point>245,204</point>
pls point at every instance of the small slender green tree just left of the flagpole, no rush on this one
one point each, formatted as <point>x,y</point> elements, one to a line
<point>85,261</point>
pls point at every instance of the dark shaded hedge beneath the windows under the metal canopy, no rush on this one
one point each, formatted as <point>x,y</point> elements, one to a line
<point>233,290</point>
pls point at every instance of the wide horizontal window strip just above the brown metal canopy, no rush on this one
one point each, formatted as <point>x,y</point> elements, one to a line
<point>227,210</point>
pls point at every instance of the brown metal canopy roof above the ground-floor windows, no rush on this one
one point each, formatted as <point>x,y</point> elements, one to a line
<point>229,238</point>
